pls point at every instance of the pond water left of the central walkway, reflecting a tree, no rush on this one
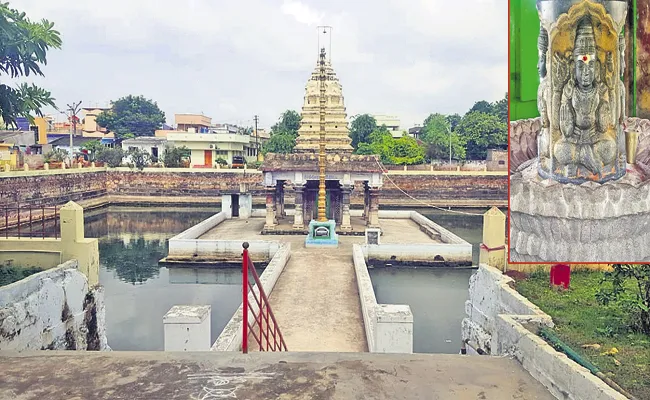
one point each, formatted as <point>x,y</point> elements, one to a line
<point>138,292</point>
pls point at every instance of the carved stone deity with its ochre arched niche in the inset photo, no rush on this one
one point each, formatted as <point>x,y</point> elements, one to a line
<point>581,105</point>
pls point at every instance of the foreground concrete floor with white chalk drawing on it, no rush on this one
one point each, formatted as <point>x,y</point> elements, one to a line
<point>61,375</point>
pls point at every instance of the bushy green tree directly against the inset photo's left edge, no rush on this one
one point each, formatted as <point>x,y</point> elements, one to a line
<point>480,132</point>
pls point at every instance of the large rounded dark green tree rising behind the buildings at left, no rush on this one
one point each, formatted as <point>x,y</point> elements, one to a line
<point>132,116</point>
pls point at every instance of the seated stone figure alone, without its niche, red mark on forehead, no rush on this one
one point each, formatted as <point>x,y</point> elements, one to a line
<point>588,136</point>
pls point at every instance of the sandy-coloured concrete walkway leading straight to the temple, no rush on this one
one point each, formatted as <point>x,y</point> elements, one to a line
<point>316,301</point>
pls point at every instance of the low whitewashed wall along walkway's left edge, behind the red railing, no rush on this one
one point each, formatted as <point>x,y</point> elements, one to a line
<point>230,338</point>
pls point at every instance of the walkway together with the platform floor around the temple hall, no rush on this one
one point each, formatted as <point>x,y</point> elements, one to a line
<point>316,301</point>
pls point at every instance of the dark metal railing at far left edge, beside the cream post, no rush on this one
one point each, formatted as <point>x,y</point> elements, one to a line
<point>29,222</point>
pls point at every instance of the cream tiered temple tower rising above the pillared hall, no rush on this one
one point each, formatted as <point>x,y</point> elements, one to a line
<point>336,125</point>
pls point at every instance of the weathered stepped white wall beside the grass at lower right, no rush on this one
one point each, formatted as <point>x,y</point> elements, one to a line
<point>497,321</point>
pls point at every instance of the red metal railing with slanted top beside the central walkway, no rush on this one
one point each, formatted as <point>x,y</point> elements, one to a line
<point>264,328</point>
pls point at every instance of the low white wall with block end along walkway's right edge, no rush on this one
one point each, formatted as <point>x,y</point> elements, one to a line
<point>389,327</point>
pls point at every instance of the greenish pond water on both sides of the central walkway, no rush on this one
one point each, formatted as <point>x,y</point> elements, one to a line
<point>139,292</point>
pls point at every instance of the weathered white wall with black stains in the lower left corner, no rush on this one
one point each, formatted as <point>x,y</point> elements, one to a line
<point>53,309</point>
